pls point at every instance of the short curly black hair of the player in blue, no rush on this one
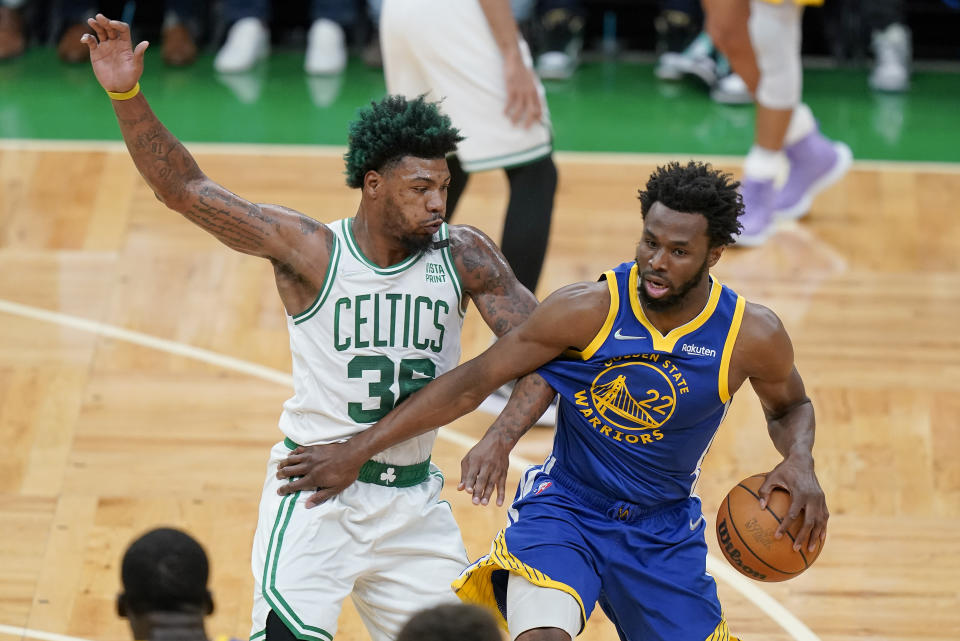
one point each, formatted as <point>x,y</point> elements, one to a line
<point>697,188</point>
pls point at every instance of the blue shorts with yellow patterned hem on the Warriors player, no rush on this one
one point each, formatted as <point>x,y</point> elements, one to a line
<point>646,567</point>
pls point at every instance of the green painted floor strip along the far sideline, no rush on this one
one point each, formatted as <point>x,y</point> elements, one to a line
<point>608,106</point>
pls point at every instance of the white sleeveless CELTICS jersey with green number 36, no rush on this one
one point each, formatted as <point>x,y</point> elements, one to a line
<point>373,336</point>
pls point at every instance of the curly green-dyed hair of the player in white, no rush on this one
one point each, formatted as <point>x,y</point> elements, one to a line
<point>393,128</point>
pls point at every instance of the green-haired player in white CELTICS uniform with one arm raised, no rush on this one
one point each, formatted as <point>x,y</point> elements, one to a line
<point>374,305</point>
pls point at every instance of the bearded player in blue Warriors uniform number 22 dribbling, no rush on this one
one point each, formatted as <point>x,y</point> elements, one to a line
<point>646,361</point>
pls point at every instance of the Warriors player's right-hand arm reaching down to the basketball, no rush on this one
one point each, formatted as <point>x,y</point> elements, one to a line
<point>764,354</point>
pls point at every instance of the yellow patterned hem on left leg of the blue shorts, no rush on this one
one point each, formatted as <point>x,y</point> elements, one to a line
<point>474,585</point>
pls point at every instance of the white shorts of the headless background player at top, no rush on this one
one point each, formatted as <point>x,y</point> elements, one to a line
<point>446,50</point>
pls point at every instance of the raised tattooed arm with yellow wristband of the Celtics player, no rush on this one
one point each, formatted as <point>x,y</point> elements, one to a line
<point>288,238</point>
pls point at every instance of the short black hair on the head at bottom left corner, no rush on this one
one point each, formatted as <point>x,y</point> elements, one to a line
<point>165,570</point>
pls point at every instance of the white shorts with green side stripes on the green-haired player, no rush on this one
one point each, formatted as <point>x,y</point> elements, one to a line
<point>393,550</point>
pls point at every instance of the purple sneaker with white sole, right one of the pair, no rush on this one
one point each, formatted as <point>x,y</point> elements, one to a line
<point>816,162</point>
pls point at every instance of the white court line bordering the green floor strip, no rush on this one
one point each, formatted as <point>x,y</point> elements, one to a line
<point>334,151</point>
